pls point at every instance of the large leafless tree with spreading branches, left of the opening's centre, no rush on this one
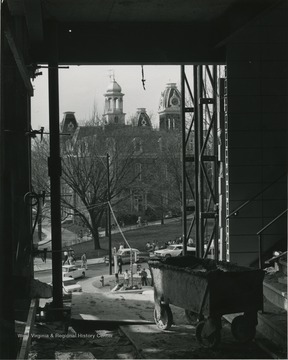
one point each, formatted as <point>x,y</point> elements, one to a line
<point>85,172</point>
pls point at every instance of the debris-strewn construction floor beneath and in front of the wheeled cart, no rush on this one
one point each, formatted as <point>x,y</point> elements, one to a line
<point>121,326</point>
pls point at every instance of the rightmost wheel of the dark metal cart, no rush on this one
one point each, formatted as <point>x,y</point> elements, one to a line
<point>243,329</point>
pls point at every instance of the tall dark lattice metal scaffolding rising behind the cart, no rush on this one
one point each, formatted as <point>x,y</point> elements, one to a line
<point>203,187</point>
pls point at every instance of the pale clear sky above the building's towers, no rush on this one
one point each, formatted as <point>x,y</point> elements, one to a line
<point>82,88</point>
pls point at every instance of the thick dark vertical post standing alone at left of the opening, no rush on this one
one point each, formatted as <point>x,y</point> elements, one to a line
<point>54,164</point>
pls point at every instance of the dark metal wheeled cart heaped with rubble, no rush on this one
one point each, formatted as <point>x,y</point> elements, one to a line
<point>207,290</point>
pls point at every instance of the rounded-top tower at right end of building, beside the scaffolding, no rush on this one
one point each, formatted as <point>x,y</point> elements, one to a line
<point>169,108</point>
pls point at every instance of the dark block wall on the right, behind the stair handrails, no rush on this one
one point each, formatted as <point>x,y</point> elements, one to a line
<point>257,80</point>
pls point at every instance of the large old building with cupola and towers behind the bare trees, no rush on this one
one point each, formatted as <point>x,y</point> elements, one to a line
<point>153,192</point>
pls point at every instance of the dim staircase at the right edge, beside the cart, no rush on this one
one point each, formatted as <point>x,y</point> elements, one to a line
<point>272,323</point>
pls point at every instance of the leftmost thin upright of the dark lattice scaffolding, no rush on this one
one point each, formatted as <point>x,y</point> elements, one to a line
<point>183,128</point>
